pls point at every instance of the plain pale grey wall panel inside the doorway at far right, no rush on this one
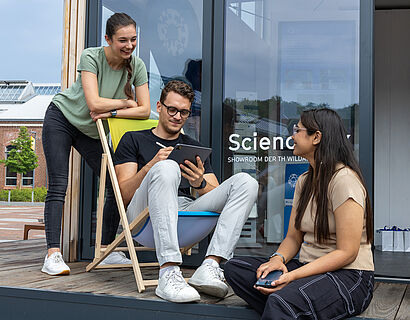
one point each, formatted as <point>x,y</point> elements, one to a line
<point>392,118</point>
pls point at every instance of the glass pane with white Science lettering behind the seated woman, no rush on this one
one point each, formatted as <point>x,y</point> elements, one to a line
<point>282,57</point>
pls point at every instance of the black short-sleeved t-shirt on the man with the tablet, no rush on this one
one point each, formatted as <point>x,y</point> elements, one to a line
<point>140,147</point>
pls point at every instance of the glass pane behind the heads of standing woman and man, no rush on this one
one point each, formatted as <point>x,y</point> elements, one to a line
<point>169,41</point>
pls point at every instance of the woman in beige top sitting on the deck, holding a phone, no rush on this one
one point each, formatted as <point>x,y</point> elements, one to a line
<point>330,227</point>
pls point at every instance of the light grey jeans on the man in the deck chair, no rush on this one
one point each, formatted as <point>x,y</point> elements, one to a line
<point>233,199</point>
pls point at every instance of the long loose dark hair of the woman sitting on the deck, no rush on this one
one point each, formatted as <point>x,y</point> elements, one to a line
<point>334,148</point>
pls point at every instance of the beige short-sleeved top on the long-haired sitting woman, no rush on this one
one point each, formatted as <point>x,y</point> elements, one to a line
<point>344,185</point>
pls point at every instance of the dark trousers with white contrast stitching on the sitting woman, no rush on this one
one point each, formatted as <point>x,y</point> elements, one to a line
<point>333,295</point>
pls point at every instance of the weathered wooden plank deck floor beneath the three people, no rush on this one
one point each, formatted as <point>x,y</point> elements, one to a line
<point>21,261</point>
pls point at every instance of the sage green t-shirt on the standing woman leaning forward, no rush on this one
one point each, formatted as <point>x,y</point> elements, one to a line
<point>111,84</point>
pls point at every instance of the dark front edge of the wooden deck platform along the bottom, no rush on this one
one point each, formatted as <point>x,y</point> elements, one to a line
<point>17,303</point>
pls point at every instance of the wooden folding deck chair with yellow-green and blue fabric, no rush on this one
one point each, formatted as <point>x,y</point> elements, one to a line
<point>203,222</point>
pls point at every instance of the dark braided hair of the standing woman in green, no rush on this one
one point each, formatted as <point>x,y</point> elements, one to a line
<point>114,22</point>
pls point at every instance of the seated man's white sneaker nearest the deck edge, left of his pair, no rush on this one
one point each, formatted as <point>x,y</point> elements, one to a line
<point>172,287</point>
